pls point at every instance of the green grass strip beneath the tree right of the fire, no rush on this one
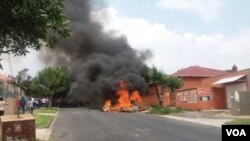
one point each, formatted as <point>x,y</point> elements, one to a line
<point>164,110</point>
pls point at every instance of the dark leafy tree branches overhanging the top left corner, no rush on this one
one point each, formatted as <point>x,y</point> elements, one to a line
<point>26,23</point>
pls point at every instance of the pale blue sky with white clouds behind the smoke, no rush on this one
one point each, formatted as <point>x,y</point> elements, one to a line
<point>180,33</point>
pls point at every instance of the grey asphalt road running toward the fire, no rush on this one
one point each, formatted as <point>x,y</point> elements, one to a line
<point>94,125</point>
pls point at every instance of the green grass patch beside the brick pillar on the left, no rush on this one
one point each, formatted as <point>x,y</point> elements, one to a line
<point>43,121</point>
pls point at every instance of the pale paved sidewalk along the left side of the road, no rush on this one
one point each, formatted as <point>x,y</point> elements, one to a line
<point>44,134</point>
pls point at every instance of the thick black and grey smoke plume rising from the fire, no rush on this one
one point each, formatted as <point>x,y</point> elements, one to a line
<point>97,60</point>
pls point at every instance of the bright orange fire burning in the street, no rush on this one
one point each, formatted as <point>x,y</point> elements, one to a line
<point>126,101</point>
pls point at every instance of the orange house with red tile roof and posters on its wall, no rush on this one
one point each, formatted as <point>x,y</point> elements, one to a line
<point>206,88</point>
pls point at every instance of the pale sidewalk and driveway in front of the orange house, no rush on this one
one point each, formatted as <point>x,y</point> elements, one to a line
<point>208,118</point>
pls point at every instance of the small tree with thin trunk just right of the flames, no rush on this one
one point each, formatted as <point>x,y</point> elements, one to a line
<point>159,80</point>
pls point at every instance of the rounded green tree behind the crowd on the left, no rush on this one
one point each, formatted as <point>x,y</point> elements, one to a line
<point>52,82</point>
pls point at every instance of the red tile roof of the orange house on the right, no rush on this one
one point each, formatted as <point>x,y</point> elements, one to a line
<point>197,71</point>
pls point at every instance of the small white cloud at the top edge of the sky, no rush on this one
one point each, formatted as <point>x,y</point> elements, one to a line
<point>208,10</point>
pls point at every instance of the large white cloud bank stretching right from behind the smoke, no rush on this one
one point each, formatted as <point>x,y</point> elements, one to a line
<point>173,50</point>
